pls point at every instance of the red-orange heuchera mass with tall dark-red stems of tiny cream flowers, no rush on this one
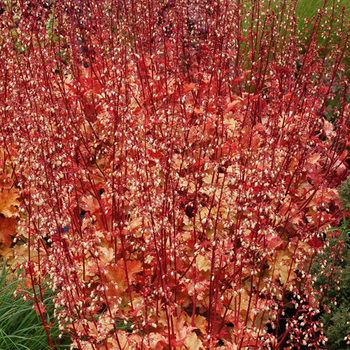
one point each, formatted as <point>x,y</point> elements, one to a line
<point>174,165</point>
